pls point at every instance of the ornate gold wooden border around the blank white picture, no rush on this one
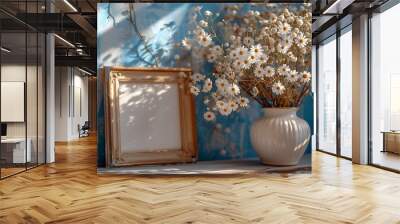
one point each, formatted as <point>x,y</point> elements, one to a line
<point>111,77</point>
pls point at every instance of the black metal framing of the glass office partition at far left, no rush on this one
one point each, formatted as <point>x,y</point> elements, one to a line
<point>29,29</point>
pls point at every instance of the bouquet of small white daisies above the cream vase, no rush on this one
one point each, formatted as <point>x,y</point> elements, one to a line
<point>262,54</point>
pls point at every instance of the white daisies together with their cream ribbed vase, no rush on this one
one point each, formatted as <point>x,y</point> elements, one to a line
<point>260,54</point>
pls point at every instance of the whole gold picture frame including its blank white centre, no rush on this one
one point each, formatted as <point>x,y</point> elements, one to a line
<point>183,147</point>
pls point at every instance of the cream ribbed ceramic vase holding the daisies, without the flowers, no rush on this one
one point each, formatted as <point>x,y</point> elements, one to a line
<point>280,137</point>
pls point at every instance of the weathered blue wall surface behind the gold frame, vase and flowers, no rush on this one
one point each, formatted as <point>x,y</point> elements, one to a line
<point>150,35</point>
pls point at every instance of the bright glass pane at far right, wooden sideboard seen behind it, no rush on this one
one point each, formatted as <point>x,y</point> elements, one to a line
<point>385,89</point>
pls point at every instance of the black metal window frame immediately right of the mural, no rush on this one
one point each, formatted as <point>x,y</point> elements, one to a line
<point>339,32</point>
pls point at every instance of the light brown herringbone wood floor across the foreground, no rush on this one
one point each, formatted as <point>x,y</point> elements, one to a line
<point>70,191</point>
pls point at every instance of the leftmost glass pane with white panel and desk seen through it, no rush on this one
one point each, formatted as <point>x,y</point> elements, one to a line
<point>13,114</point>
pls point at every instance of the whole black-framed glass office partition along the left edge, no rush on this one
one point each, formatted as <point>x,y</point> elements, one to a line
<point>22,77</point>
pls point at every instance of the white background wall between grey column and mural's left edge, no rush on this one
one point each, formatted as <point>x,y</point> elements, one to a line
<point>70,81</point>
